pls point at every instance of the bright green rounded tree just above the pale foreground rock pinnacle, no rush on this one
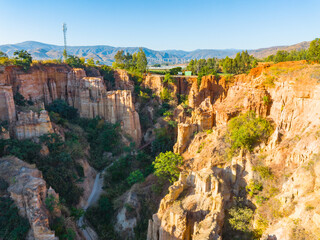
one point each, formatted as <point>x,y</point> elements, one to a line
<point>167,165</point>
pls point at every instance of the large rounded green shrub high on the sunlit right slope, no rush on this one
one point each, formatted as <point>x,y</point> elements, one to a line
<point>246,130</point>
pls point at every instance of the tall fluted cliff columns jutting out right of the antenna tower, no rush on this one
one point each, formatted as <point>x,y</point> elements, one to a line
<point>90,96</point>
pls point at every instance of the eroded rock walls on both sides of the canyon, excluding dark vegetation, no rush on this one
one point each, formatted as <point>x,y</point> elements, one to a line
<point>197,206</point>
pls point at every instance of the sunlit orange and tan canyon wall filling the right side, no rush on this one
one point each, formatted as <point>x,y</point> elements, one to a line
<point>288,95</point>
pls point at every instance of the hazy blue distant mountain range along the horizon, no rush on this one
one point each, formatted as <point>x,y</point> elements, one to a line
<point>105,54</point>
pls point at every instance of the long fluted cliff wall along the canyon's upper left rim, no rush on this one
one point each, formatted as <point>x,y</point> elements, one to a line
<point>45,83</point>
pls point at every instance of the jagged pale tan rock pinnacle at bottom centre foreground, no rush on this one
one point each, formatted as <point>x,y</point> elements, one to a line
<point>193,209</point>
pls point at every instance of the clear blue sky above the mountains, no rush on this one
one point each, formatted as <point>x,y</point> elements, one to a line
<point>159,25</point>
